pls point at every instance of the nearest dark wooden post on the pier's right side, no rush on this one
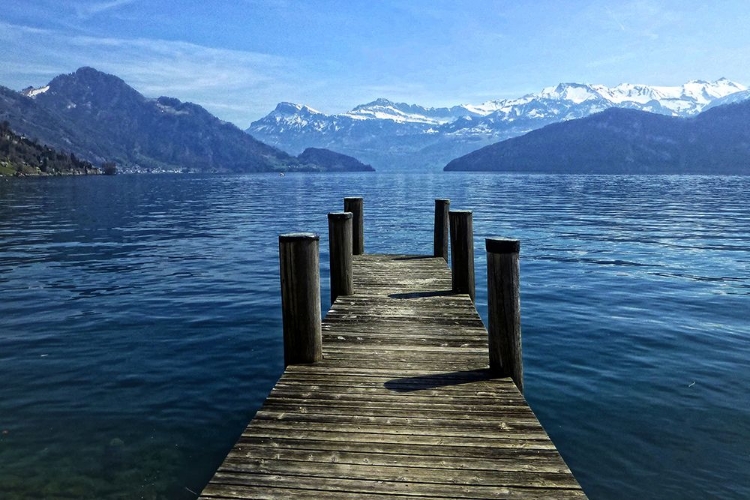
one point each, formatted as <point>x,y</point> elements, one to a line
<point>504,309</point>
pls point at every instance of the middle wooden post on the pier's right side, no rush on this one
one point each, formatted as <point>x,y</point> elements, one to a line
<point>462,252</point>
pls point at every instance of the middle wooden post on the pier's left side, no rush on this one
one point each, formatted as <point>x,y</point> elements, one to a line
<point>340,250</point>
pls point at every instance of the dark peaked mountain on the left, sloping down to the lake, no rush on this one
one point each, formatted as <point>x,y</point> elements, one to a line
<point>101,119</point>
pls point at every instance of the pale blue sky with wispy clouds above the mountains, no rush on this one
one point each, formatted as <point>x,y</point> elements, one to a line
<point>239,58</point>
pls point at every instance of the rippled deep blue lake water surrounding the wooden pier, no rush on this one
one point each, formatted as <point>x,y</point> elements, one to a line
<point>140,322</point>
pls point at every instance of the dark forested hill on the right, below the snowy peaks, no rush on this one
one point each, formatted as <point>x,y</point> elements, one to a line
<point>620,141</point>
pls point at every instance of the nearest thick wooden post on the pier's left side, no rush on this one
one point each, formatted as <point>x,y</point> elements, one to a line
<point>299,258</point>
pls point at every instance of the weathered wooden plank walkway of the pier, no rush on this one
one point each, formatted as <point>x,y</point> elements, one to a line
<point>402,406</point>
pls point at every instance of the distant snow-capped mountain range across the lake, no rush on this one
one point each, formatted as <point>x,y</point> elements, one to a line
<point>397,135</point>
